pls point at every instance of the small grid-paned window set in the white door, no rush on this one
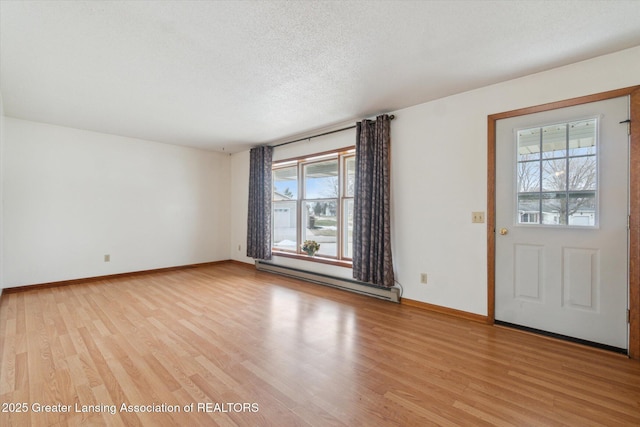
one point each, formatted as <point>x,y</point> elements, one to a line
<point>557,174</point>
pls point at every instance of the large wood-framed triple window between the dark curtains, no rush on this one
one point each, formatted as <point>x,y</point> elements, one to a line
<point>313,200</point>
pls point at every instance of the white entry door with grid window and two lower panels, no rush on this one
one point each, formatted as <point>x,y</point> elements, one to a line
<point>561,221</point>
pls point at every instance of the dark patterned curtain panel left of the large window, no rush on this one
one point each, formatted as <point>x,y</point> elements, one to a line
<point>259,217</point>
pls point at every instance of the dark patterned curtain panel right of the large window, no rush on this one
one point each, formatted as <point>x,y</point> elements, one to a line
<point>372,260</point>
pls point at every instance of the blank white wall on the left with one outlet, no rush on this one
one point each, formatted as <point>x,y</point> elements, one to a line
<point>72,196</point>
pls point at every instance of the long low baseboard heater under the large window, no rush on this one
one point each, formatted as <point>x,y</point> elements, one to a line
<point>389,294</point>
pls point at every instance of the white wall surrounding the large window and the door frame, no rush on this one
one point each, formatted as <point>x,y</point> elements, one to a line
<point>439,168</point>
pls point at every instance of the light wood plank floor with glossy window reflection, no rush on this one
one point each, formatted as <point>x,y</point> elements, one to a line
<point>273,351</point>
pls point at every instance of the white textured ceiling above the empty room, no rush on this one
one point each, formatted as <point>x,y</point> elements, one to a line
<point>237,74</point>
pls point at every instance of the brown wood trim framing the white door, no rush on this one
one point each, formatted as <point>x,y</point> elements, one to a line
<point>634,199</point>
